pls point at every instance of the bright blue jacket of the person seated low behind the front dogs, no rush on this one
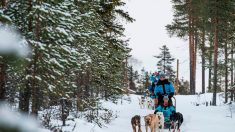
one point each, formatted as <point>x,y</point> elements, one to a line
<point>167,111</point>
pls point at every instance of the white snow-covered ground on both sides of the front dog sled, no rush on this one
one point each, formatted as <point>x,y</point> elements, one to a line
<point>196,118</point>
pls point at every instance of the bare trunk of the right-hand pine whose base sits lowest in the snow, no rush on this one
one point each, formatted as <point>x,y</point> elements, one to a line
<point>216,41</point>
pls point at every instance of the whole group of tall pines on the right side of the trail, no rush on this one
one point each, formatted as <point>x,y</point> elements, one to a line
<point>209,27</point>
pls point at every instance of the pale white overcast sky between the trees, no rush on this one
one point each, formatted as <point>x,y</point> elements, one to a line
<point>148,33</point>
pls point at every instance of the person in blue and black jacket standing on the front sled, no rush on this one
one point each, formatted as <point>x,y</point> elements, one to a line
<point>164,87</point>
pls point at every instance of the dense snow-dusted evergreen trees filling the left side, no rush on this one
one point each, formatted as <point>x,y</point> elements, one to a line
<point>77,53</point>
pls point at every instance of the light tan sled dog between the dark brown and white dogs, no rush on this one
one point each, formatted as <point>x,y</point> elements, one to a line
<point>151,121</point>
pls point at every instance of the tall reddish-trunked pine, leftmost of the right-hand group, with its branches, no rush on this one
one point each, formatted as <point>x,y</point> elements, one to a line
<point>184,25</point>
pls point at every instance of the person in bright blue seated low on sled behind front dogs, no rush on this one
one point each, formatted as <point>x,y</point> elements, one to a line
<point>166,109</point>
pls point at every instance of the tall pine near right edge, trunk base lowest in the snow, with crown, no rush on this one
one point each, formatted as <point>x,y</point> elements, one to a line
<point>220,15</point>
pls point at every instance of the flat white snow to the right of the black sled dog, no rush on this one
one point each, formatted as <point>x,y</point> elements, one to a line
<point>202,118</point>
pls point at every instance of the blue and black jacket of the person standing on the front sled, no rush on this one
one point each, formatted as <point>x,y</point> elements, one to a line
<point>169,89</point>
